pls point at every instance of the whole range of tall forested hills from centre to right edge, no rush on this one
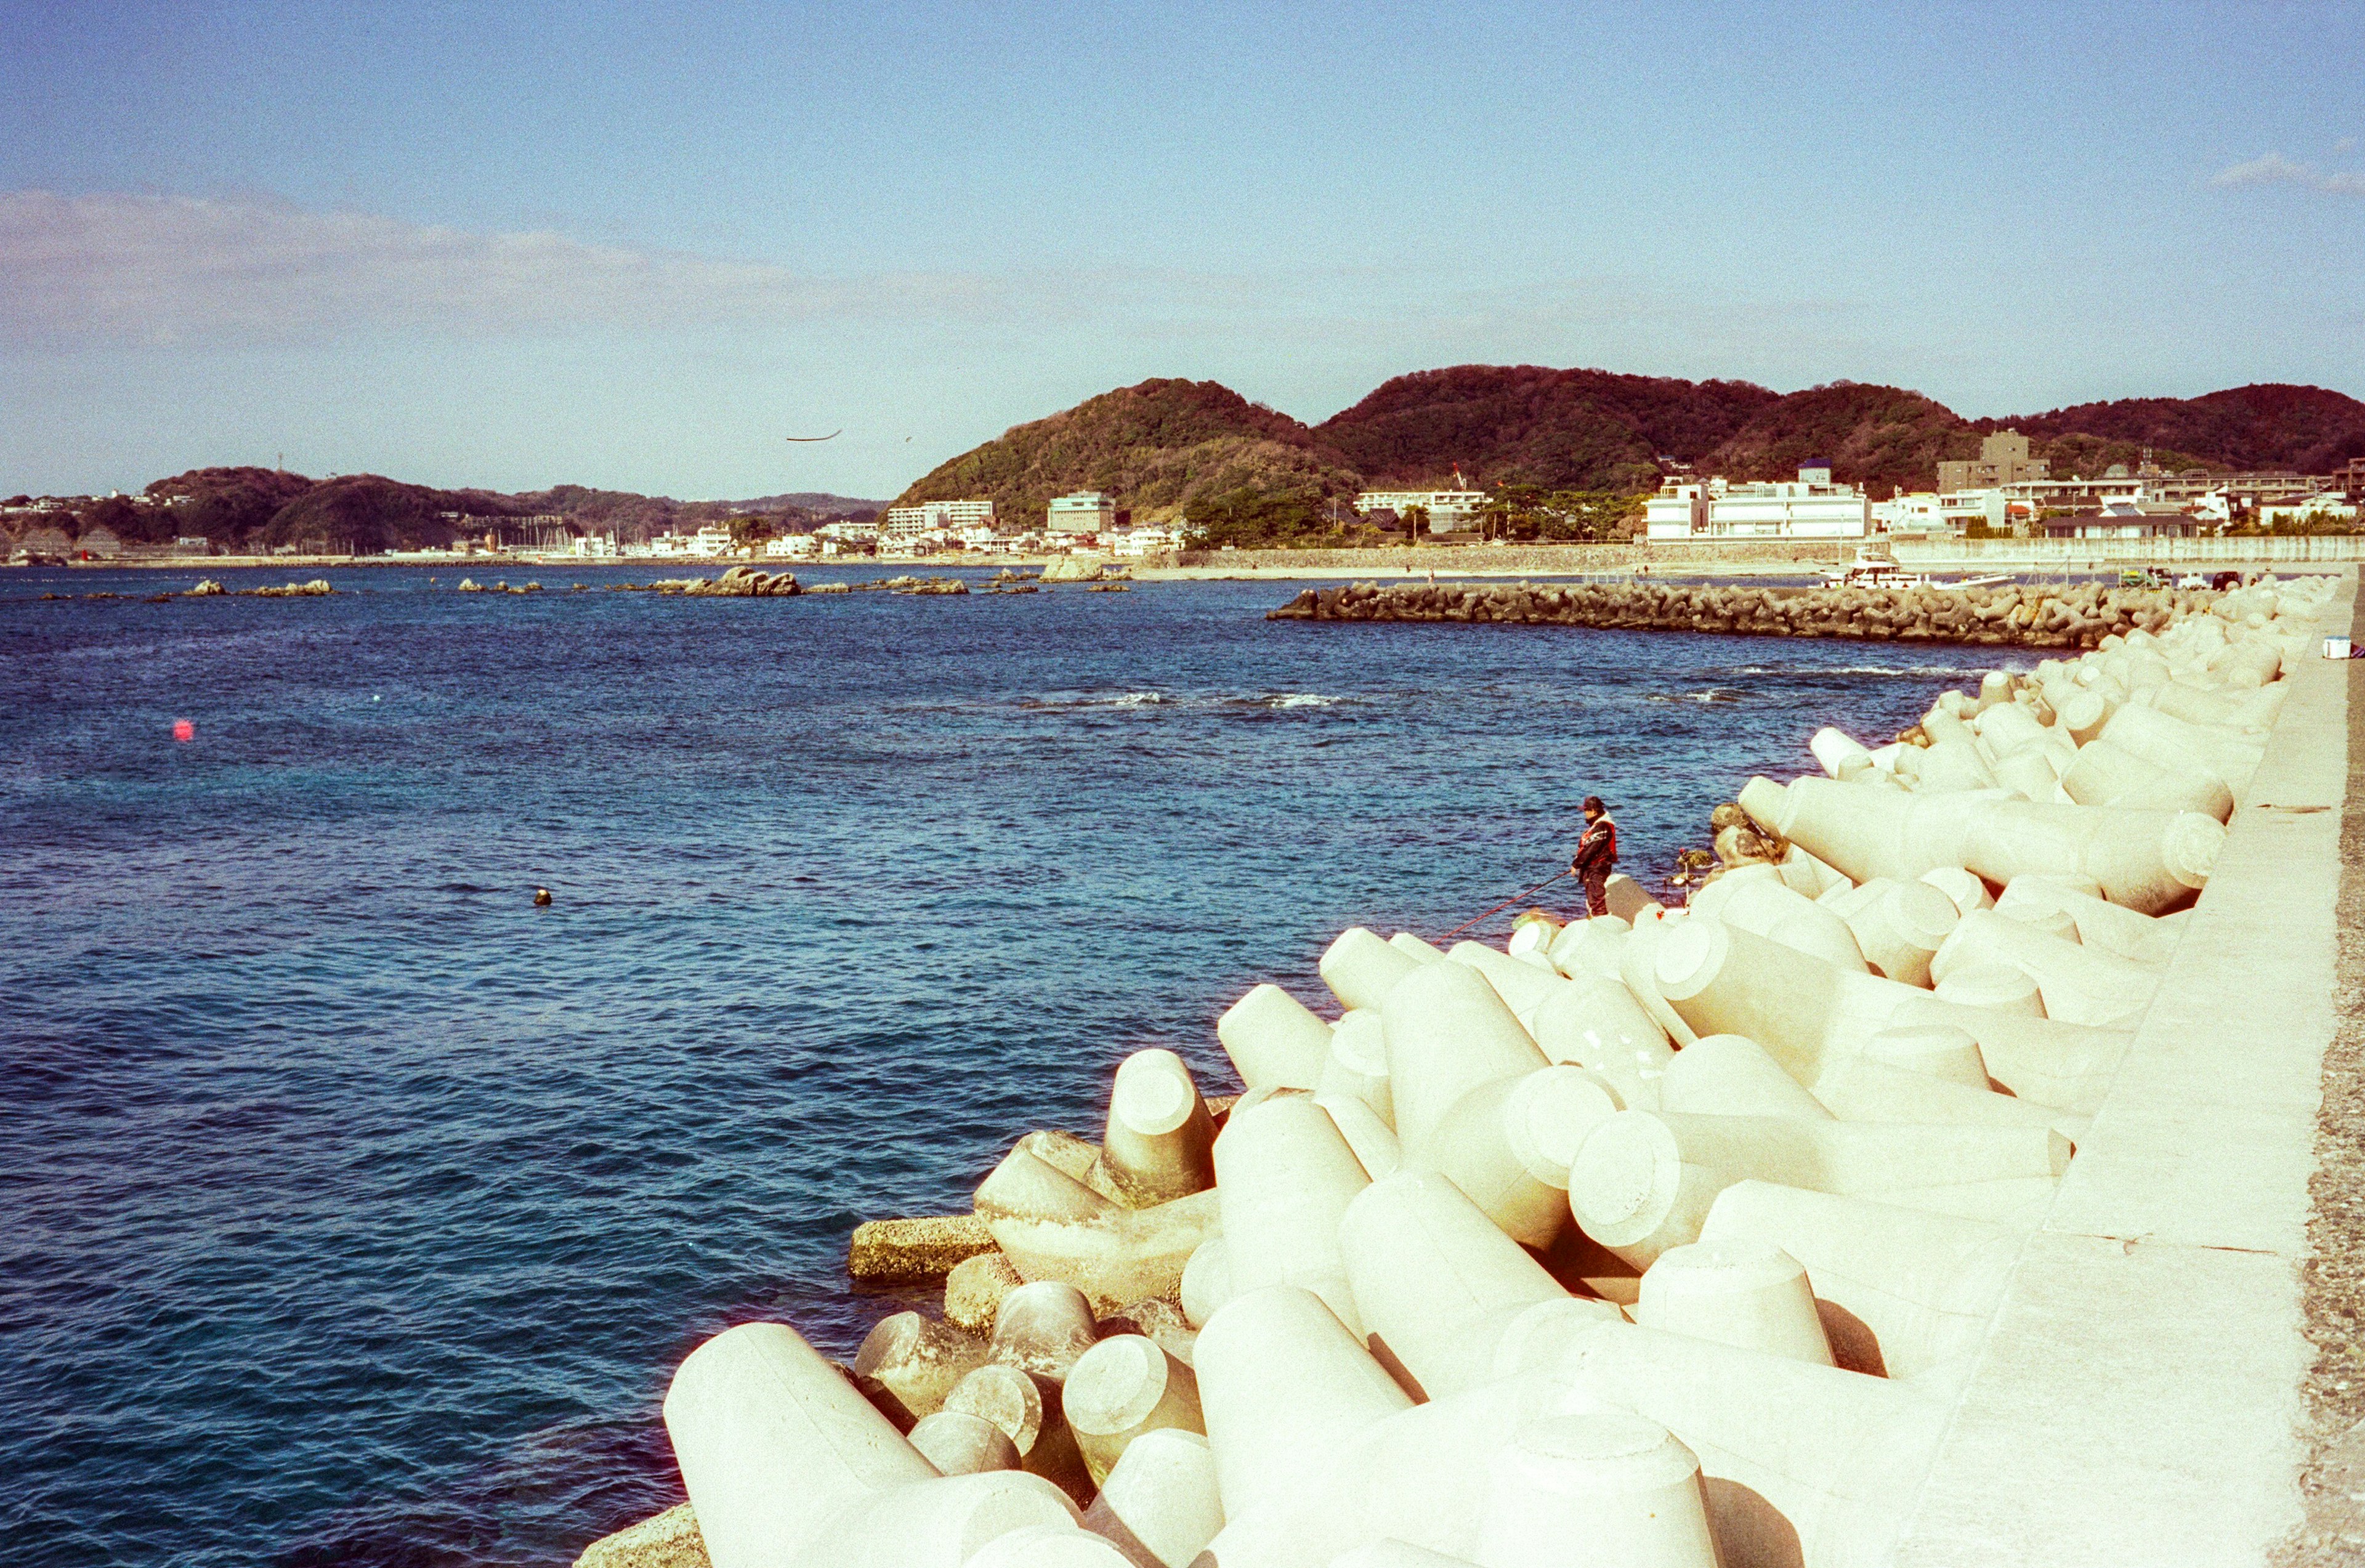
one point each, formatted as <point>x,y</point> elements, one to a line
<point>1172,448</point>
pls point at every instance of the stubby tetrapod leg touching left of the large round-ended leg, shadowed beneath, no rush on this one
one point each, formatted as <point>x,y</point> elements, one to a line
<point>1508,1146</point>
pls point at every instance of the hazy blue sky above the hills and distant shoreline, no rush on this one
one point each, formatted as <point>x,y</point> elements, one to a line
<point>637,247</point>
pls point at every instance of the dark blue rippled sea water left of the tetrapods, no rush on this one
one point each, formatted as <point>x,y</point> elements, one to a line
<point>356,1212</point>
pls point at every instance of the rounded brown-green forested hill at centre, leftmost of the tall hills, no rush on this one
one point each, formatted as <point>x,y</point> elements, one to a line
<point>1162,448</point>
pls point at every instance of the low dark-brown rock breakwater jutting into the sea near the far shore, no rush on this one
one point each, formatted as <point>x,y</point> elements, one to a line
<point>2033,616</point>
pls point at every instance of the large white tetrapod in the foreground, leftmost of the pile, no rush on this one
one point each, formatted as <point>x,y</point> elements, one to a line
<point>775,1444</point>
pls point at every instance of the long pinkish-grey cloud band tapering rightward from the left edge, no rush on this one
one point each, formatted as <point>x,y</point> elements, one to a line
<point>169,271</point>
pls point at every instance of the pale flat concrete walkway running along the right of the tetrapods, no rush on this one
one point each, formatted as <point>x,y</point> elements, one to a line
<point>2142,1397</point>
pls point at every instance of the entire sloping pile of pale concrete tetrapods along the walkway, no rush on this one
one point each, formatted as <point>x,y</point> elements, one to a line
<point>1676,1233</point>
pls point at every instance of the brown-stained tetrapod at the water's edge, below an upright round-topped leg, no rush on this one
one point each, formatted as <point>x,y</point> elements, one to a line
<point>1051,1226</point>
